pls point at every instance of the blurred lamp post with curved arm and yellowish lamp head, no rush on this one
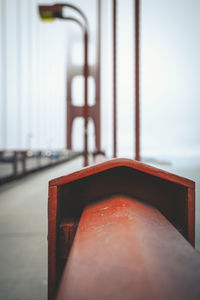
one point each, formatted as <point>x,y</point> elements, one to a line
<point>51,12</point>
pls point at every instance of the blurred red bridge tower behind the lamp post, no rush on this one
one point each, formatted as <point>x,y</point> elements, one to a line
<point>75,111</point>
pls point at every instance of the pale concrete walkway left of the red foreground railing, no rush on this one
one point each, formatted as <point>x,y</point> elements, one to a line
<point>23,232</point>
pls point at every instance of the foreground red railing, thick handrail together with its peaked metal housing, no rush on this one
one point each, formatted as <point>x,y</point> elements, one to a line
<point>121,209</point>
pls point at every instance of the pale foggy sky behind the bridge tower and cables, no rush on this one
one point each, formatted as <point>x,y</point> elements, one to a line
<point>33,60</point>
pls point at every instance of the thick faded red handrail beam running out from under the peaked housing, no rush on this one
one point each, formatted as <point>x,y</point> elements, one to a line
<point>126,249</point>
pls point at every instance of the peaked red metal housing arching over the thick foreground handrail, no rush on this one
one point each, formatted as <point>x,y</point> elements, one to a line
<point>170,194</point>
